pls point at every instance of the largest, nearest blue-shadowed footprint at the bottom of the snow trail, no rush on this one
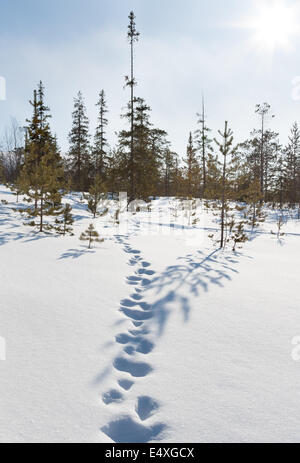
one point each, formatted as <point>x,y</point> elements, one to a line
<point>126,430</point>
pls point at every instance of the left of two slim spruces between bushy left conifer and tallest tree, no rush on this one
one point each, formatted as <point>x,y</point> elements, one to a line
<point>79,152</point>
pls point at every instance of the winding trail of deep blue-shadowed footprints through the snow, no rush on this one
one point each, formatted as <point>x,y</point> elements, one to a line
<point>135,342</point>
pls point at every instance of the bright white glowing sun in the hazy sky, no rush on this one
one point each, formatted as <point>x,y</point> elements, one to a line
<point>274,25</point>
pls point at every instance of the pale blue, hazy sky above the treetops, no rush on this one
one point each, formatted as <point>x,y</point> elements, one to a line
<point>229,51</point>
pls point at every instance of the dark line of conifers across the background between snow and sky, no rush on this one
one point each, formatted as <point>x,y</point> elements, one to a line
<point>142,162</point>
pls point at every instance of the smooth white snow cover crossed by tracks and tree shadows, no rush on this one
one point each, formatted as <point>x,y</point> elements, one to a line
<point>211,359</point>
